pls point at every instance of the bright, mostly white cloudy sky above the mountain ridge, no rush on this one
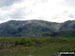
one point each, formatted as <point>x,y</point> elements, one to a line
<point>49,10</point>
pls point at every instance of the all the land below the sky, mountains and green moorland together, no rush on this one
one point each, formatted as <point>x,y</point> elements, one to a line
<point>36,38</point>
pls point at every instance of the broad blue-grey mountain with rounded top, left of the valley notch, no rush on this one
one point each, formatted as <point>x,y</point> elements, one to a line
<point>27,28</point>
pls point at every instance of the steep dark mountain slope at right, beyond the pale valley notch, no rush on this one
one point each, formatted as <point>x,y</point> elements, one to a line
<point>66,30</point>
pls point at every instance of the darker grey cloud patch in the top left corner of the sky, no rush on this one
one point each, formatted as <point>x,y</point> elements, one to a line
<point>4,3</point>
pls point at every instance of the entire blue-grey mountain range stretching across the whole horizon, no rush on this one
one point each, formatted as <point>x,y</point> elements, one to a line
<point>37,28</point>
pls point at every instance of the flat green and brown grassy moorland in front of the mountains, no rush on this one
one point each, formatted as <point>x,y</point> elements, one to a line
<point>37,46</point>
